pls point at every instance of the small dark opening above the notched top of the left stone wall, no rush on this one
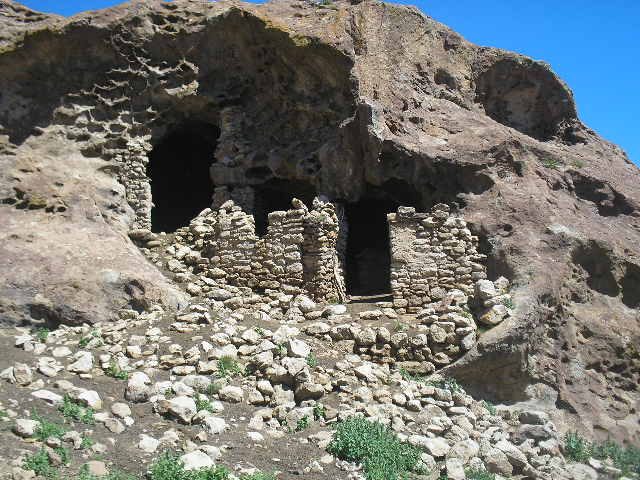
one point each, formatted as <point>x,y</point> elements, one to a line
<point>276,195</point>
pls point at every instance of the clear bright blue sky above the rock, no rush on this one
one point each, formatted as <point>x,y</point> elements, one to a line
<point>594,45</point>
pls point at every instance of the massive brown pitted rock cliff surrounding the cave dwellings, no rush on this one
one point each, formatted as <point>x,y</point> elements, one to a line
<point>342,100</point>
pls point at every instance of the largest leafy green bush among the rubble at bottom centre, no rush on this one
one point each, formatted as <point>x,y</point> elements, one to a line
<point>382,454</point>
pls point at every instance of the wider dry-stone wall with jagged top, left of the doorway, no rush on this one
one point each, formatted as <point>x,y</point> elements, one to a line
<point>296,255</point>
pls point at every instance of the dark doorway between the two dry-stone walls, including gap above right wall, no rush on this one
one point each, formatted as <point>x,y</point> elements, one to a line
<point>368,255</point>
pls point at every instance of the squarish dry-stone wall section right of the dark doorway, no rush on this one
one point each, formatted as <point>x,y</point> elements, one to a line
<point>431,253</point>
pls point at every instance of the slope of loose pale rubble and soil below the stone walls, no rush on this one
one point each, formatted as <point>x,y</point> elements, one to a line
<point>220,387</point>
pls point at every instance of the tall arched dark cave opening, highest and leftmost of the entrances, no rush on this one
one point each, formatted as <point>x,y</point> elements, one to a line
<point>178,169</point>
